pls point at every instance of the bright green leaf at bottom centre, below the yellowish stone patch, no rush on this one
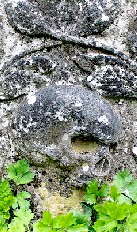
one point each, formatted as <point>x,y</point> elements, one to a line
<point>64,221</point>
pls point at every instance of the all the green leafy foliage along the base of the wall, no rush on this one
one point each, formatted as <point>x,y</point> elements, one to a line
<point>108,207</point>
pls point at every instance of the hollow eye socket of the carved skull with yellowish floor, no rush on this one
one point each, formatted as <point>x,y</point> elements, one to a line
<point>84,144</point>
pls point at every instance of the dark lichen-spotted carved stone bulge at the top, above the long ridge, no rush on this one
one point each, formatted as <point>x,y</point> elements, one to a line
<point>79,18</point>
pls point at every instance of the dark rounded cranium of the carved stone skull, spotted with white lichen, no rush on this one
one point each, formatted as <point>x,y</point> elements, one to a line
<point>47,123</point>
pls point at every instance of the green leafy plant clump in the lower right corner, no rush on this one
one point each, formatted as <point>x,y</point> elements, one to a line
<point>113,206</point>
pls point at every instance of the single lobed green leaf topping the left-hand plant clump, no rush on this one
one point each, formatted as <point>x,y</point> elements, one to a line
<point>20,172</point>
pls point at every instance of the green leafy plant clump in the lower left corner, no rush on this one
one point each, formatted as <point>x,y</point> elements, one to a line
<point>15,213</point>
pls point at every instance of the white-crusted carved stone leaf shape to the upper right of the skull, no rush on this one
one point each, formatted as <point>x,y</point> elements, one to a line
<point>110,75</point>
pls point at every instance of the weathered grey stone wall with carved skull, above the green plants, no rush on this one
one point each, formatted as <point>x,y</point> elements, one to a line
<point>68,89</point>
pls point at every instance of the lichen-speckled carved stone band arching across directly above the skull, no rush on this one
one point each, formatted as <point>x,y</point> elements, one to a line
<point>109,75</point>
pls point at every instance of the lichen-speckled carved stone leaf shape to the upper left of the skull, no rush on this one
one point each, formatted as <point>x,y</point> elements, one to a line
<point>23,74</point>
